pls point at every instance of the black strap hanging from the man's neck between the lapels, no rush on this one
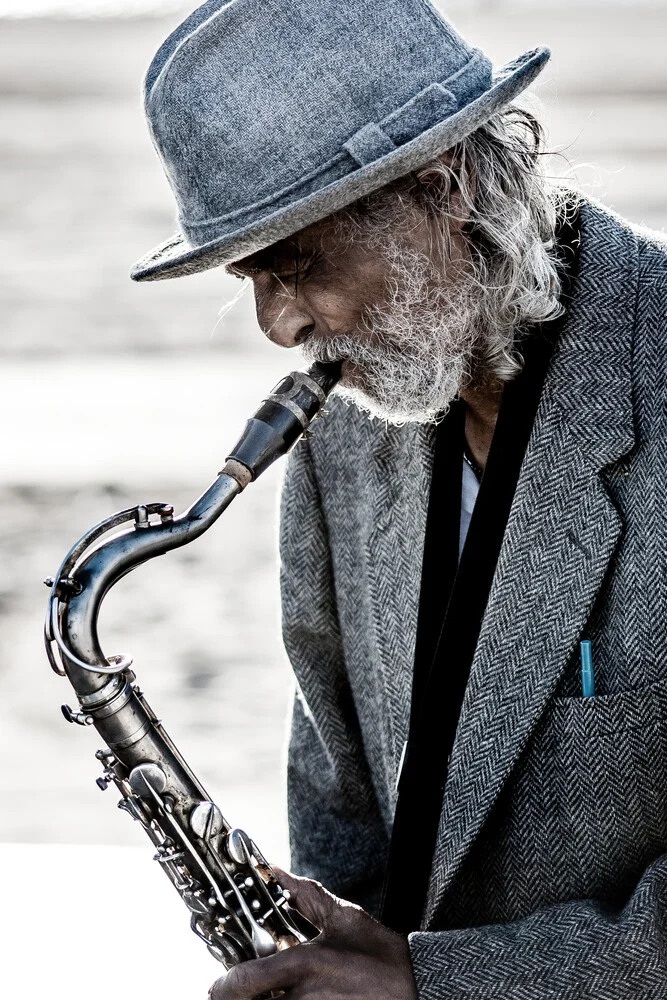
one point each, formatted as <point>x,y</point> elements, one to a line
<point>452,605</point>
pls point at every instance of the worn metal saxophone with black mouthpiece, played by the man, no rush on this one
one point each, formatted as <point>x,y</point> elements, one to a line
<point>237,905</point>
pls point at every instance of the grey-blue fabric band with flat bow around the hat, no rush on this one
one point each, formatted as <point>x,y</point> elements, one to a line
<point>428,108</point>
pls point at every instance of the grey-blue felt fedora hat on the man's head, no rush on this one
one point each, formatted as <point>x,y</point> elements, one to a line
<point>271,114</point>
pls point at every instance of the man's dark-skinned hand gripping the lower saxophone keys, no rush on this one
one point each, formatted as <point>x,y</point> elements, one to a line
<point>354,957</point>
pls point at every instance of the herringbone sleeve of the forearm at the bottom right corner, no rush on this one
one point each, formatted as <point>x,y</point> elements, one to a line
<point>570,951</point>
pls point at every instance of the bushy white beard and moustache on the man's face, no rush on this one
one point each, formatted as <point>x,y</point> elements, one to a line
<point>410,359</point>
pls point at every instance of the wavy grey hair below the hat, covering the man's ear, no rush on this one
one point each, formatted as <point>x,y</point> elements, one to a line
<point>510,220</point>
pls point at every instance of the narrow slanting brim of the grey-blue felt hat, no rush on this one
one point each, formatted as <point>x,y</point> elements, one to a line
<point>177,257</point>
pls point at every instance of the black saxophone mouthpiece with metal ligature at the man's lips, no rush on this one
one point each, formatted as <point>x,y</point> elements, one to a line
<point>282,419</point>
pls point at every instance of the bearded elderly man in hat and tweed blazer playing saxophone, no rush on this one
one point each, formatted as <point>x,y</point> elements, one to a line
<point>487,494</point>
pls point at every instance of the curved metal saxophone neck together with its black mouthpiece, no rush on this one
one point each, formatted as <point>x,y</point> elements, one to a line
<point>97,562</point>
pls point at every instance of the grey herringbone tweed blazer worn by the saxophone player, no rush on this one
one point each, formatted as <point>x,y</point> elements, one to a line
<point>549,877</point>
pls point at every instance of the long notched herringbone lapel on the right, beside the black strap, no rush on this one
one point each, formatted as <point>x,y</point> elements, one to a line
<point>560,537</point>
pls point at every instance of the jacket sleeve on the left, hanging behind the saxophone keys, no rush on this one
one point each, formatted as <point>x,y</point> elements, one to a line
<point>336,832</point>
